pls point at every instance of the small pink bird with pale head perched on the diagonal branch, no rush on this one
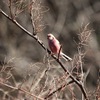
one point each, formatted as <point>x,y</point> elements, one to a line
<point>55,47</point>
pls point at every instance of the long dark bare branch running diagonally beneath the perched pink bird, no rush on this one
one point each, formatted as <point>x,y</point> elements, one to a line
<point>44,47</point>
